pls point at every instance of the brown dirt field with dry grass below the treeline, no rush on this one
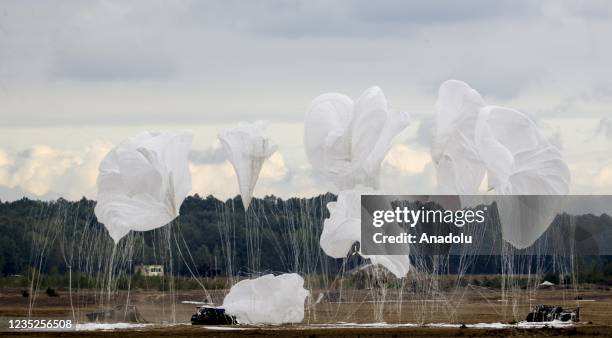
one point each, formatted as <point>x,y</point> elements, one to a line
<point>468,305</point>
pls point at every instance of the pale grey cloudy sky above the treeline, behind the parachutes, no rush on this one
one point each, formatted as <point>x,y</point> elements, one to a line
<point>78,77</point>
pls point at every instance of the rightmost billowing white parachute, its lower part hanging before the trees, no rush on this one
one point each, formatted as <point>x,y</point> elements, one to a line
<point>521,161</point>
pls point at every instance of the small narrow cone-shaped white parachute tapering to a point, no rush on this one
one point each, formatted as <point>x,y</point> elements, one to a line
<point>247,147</point>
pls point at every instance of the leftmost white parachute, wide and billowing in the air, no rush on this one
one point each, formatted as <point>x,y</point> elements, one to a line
<point>143,181</point>
